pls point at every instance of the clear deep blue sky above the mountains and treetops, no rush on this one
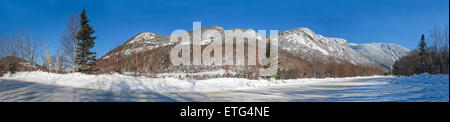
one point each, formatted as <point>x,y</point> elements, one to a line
<point>115,21</point>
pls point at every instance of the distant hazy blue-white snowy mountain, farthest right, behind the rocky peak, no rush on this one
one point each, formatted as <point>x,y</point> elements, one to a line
<point>384,54</point>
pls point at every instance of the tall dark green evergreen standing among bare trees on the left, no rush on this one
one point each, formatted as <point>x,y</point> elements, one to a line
<point>85,57</point>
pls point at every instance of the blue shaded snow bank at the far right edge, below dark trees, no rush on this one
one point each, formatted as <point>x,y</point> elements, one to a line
<point>434,87</point>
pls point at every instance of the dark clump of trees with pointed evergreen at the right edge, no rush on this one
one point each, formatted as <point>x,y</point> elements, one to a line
<point>431,55</point>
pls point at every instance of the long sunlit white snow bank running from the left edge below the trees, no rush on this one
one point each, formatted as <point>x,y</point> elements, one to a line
<point>122,83</point>
